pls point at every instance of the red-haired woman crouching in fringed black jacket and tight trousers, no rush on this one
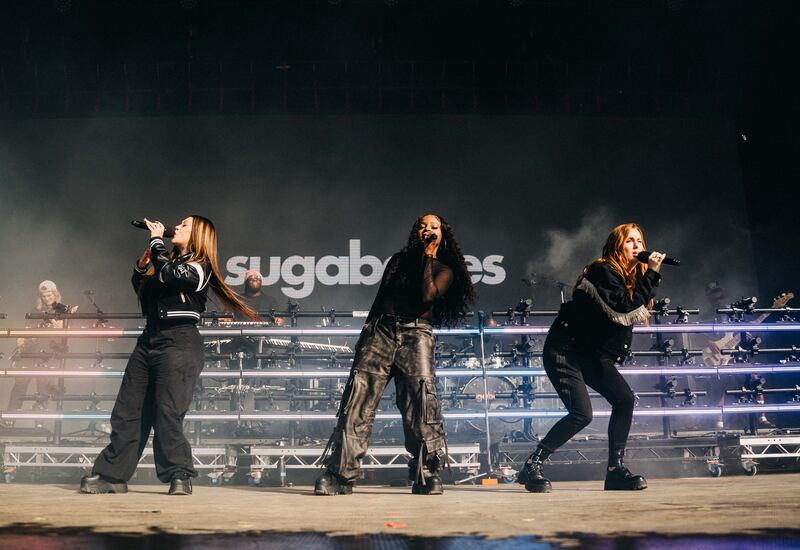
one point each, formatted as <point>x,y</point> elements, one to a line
<point>591,335</point>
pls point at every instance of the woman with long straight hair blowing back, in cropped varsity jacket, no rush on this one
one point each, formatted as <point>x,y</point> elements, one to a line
<point>158,385</point>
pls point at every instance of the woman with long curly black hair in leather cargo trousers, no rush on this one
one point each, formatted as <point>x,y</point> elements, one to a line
<point>426,283</point>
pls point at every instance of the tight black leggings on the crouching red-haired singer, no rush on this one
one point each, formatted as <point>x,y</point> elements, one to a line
<point>570,370</point>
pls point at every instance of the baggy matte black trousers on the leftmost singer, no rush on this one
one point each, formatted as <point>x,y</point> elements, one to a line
<point>156,392</point>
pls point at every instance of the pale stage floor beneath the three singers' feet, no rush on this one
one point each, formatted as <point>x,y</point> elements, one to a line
<point>764,506</point>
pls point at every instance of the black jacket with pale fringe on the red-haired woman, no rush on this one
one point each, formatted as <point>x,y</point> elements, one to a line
<point>601,314</point>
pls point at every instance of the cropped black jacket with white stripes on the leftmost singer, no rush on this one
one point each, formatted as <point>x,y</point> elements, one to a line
<point>177,292</point>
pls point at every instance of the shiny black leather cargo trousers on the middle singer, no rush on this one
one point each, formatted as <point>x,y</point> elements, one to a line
<point>399,348</point>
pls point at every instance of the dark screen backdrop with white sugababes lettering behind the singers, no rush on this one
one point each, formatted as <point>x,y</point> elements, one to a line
<point>542,192</point>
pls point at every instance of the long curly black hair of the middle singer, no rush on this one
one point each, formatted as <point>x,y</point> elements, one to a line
<point>461,294</point>
